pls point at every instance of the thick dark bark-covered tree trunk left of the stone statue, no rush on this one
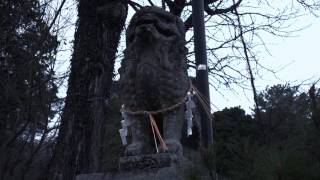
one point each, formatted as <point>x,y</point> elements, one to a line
<point>79,146</point>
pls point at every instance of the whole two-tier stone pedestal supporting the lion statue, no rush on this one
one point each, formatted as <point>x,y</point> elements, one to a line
<point>163,166</point>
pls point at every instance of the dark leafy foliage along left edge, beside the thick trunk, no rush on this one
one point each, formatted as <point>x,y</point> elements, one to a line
<point>27,86</point>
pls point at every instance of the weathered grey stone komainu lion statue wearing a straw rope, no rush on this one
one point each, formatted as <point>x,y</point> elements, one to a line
<point>153,76</point>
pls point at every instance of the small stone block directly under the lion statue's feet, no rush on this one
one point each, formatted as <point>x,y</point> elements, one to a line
<point>148,161</point>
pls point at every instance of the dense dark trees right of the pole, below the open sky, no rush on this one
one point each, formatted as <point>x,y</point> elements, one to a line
<point>288,148</point>
